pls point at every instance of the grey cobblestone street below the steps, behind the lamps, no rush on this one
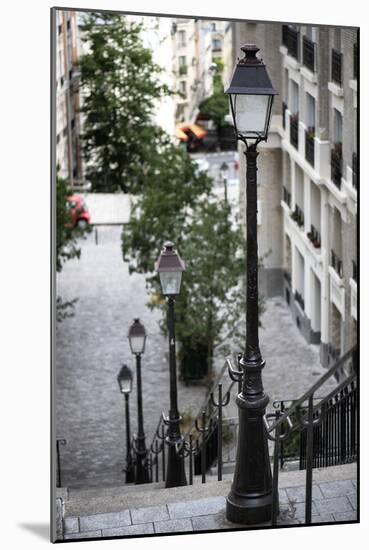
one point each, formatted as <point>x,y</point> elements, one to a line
<point>91,346</point>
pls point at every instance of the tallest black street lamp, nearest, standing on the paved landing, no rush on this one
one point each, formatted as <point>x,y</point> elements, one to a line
<point>250,499</point>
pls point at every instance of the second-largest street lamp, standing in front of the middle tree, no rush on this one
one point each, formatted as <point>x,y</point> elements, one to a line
<point>170,268</point>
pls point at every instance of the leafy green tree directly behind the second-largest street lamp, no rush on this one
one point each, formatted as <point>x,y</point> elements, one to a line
<point>211,303</point>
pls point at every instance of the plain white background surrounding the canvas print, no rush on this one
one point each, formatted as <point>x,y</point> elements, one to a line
<point>25,269</point>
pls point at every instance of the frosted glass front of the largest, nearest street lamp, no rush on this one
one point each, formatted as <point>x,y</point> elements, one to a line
<point>251,113</point>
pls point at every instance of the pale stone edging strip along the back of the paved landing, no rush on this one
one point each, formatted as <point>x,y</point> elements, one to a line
<point>156,497</point>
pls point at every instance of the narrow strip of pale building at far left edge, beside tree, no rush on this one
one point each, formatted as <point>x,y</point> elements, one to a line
<point>68,146</point>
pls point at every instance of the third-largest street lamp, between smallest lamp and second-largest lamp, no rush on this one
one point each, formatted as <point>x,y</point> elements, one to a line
<point>137,339</point>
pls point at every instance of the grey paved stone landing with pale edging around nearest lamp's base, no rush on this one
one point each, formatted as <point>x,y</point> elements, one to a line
<point>131,510</point>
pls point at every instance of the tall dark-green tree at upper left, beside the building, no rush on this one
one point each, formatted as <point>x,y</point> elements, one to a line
<point>120,84</point>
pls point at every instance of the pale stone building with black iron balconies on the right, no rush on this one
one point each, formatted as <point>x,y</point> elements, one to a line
<point>307,179</point>
